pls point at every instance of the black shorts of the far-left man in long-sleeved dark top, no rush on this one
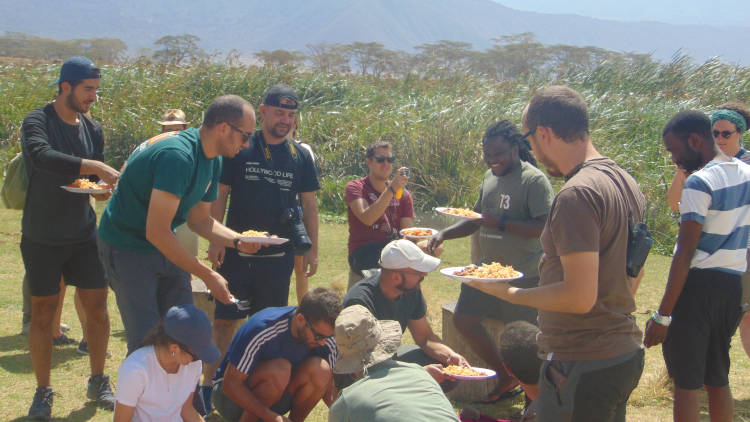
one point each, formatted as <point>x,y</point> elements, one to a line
<point>78,264</point>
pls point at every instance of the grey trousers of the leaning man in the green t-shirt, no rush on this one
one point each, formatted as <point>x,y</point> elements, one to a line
<point>145,286</point>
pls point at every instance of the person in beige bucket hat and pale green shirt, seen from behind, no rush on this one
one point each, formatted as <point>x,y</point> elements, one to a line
<point>383,389</point>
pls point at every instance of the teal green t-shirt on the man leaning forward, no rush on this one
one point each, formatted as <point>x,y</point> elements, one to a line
<point>173,162</point>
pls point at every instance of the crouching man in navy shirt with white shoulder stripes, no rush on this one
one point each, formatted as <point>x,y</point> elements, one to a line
<point>280,361</point>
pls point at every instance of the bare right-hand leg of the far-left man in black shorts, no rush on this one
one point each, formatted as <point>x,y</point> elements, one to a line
<point>94,303</point>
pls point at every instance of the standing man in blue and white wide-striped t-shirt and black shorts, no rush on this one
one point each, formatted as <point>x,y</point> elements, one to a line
<point>701,306</point>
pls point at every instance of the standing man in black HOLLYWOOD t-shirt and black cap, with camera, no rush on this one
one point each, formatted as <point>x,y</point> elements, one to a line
<point>264,181</point>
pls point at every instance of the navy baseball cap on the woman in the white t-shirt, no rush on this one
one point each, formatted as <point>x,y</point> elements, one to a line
<point>191,327</point>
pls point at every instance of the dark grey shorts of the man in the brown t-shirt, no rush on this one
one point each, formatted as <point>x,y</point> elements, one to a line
<point>595,390</point>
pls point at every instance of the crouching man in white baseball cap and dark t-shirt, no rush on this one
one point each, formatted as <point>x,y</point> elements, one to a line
<point>392,293</point>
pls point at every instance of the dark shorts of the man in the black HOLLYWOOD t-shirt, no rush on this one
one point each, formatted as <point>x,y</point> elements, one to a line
<point>263,281</point>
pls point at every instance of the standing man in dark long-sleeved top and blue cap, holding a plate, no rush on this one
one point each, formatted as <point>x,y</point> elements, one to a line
<point>61,143</point>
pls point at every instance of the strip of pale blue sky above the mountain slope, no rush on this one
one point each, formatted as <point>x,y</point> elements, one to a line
<point>711,12</point>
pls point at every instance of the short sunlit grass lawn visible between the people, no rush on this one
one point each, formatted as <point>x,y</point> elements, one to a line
<point>650,402</point>
